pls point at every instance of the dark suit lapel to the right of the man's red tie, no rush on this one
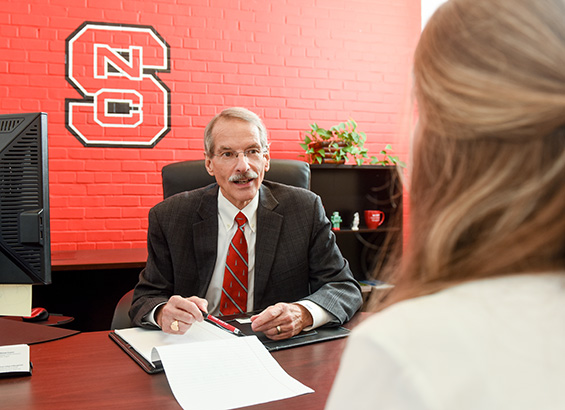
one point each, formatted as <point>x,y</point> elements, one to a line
<point>269,225</point>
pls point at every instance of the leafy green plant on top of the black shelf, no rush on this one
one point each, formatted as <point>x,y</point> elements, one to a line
<point>336,144</point>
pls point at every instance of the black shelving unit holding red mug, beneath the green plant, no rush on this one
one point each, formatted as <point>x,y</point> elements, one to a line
<point>348,189</point>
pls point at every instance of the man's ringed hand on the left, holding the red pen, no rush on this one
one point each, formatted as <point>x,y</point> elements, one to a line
<point>178,314</point>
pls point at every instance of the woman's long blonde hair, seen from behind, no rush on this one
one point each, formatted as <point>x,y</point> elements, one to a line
<point>488,180</point>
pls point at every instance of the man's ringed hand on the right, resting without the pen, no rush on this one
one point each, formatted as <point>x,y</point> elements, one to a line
<point>282,320</point>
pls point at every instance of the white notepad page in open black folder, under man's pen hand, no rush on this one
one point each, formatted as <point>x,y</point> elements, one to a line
<point>143,340</point>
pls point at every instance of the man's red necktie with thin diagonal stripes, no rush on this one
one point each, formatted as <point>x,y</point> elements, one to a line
<point>234,290</point>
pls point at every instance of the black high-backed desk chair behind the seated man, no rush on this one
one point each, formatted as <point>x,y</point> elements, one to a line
<point>189,175</point>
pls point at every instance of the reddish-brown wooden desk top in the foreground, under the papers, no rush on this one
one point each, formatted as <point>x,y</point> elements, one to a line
<point>89,371</point>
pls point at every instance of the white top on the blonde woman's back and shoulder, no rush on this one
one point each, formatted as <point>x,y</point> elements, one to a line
<point>495,343</point>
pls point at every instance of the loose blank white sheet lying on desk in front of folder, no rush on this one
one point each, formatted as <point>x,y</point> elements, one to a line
<point>226,374</point>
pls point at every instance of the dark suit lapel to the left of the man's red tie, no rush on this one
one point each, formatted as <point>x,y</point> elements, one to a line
<point>205,237</point>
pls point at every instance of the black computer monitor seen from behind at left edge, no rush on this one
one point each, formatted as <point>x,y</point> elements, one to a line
<point>25,254</point>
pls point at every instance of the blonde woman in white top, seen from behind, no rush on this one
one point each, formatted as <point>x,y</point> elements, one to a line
<point>477,316</point>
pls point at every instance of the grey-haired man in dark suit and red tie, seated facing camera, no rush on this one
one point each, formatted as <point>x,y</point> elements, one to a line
<point>292,268</point>
